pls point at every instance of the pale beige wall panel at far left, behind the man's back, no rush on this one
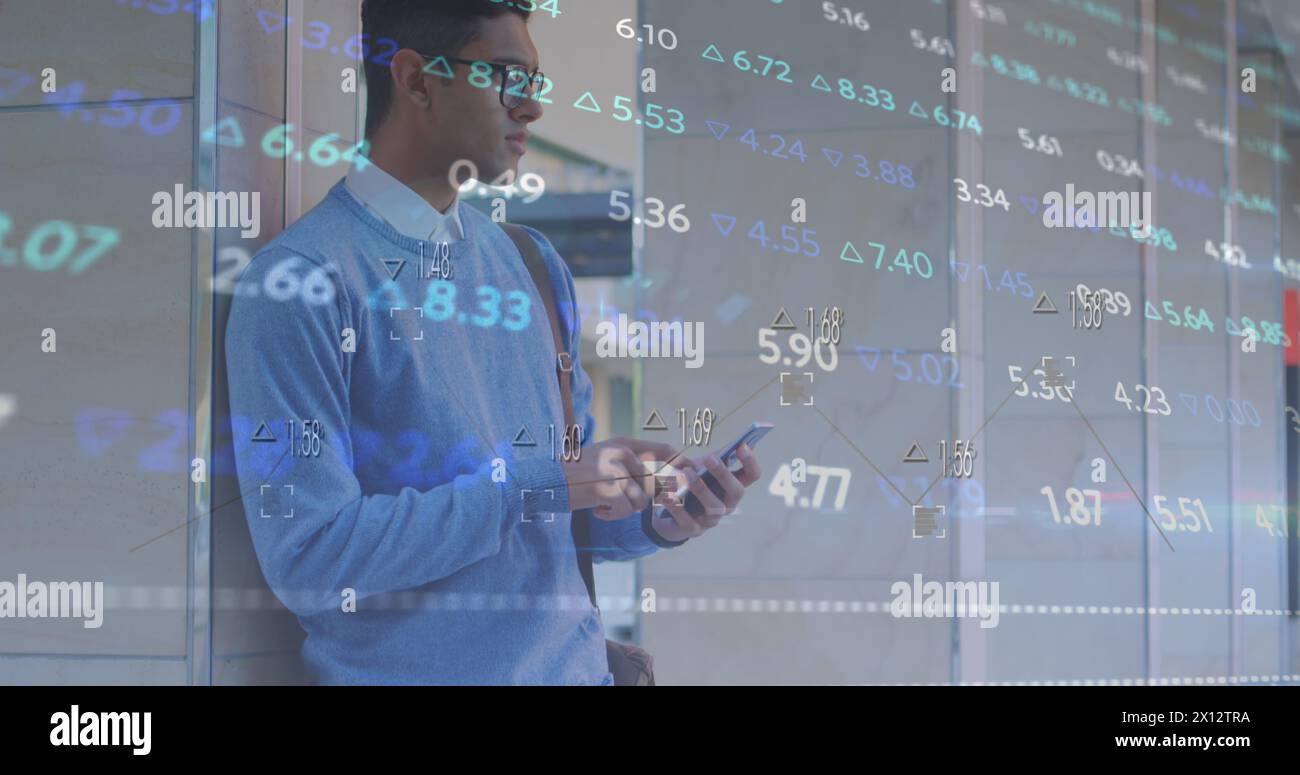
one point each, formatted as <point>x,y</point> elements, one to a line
<point>81,499</point>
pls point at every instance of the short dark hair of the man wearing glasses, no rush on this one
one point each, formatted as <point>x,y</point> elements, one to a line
<point>430,27</point>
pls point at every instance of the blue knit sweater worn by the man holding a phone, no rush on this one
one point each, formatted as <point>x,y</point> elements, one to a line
<point>388,532</point>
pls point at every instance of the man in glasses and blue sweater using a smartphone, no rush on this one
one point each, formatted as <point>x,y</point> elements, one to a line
<point>434,539</point>
